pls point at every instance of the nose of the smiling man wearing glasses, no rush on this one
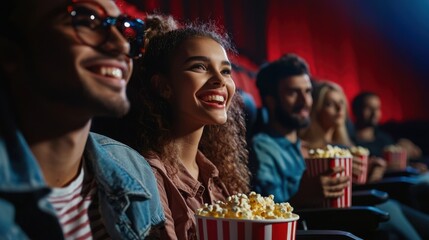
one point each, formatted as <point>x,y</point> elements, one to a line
<point>116,43</point>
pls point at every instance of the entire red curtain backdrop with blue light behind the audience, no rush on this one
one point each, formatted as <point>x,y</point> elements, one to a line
<point>376,45</point>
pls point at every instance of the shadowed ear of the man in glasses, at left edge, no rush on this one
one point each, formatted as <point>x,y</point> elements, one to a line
<point>10,56</point>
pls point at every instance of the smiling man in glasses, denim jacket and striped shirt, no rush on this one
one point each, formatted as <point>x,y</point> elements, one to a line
<point>63,63</point>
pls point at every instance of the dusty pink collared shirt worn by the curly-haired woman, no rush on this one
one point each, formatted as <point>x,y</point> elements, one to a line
<point>181,195</point>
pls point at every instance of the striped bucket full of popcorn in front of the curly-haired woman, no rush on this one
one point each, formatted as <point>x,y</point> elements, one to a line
<point>245,217</point>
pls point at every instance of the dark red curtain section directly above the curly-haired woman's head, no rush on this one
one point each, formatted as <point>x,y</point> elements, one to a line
<point>244,20</point>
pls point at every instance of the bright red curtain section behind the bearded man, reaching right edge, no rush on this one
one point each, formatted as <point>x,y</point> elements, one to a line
<point>350,42</point>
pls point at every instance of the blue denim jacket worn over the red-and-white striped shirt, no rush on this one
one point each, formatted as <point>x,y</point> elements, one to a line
<point>127,191</point>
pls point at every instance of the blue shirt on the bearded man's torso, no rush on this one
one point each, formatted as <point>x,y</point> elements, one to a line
<point>277,166</point>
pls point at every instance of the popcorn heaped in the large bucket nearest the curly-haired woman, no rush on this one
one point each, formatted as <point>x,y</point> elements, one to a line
<point>253,206</point>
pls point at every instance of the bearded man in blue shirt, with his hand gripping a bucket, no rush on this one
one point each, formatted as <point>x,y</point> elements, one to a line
<point>277,160</point>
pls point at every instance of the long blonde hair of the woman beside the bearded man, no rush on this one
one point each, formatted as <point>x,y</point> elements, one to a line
<point>314,134</point>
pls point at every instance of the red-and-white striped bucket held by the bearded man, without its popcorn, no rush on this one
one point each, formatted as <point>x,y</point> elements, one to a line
<point>317,166</point>
